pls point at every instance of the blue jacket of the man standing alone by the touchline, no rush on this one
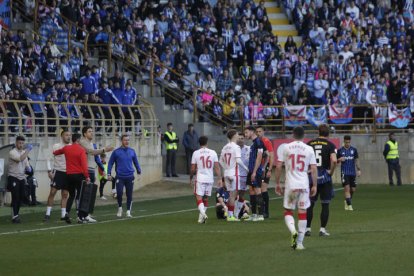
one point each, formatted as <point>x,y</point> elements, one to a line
<point>124,158</point>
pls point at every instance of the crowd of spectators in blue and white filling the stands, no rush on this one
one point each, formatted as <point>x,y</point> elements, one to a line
<point>352,52</point>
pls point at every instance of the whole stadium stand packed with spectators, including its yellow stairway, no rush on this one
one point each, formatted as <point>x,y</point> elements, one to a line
<point>231,62</point>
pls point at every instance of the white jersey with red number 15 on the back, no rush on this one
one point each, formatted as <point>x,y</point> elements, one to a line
<point>297,157</point>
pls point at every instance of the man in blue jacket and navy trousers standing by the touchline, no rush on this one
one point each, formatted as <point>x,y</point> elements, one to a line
<point>124,158</point>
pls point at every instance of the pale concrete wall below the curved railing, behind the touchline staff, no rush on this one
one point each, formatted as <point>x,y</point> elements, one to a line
<point>148,150</point>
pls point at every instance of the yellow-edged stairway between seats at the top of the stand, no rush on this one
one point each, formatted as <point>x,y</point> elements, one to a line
<point>280,23</point>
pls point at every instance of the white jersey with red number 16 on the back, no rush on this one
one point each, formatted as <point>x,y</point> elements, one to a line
<point>205,158</point>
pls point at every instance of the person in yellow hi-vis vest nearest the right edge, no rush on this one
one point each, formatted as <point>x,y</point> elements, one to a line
<point>393,159</point>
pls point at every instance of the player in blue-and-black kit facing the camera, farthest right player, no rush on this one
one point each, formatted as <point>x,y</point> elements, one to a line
<point>348,157</point>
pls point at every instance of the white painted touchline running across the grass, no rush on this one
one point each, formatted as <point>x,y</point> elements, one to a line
<point>113,220</point>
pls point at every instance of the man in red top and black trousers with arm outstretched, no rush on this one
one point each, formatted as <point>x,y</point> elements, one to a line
<point>76,170</point>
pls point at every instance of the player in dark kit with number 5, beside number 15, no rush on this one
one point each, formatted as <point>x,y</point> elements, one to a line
<point>325,153</point>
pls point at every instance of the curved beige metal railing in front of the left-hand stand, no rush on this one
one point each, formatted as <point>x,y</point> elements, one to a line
<point>39,119</point>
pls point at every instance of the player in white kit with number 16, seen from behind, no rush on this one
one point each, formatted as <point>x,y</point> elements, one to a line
<point>204,163</point>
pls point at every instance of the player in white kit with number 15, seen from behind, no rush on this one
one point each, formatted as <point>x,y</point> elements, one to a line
<point>297,157</point>
